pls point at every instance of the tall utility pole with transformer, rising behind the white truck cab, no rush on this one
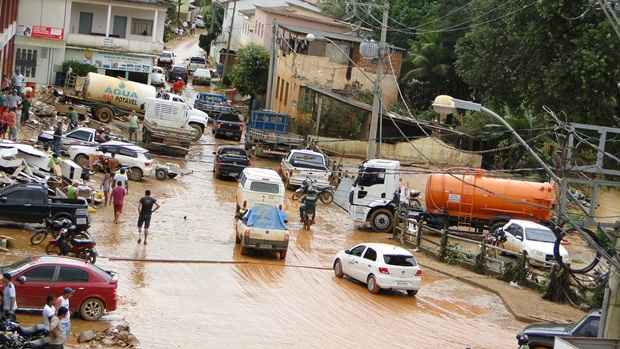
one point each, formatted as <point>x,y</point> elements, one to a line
<point>378,98</point>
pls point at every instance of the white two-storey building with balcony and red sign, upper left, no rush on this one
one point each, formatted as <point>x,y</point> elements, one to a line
<point>121,38</point>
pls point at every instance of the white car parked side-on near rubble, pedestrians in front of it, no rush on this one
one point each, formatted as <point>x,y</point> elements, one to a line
<point>137,159</point>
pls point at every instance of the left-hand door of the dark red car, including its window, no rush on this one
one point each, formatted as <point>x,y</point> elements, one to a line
<point>33,292</point>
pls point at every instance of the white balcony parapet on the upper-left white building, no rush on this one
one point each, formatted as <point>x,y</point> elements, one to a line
<point>112,43</point>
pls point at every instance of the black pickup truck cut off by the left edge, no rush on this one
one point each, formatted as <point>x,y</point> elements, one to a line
<point>32,203</point>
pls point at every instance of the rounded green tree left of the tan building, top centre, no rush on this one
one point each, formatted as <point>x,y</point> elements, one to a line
<point>250,74</point>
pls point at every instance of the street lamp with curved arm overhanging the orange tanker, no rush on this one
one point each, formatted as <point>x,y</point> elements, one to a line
<point>445,105</point>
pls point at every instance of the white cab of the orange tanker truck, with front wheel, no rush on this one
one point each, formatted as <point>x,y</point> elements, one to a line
<point>372,193</point>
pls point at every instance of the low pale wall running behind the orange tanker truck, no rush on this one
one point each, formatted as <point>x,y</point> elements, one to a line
<point>435,149</point>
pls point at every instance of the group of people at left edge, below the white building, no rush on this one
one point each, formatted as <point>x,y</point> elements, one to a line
<point>14,107</point>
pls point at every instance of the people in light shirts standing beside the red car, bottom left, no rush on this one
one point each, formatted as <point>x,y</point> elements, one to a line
<point>56,312</point>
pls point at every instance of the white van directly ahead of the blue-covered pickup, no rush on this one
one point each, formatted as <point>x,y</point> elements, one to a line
<point>259,185</point>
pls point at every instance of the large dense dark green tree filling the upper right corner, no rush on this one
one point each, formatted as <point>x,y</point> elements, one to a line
<point>561,54</point>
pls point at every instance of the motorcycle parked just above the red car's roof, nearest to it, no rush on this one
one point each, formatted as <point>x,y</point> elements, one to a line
<point>67,245</point>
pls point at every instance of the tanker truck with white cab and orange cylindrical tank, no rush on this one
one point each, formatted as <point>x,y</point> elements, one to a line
<point>473,198</point>
